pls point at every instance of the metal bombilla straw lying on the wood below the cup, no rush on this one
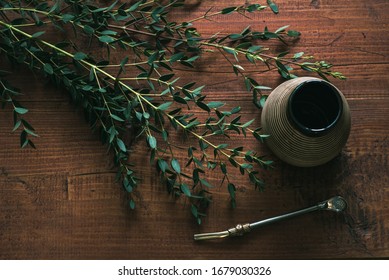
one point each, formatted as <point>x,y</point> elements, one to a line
<point>336,204</point>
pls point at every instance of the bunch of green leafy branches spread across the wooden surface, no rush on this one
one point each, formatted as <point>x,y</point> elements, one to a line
<point>145,94</point>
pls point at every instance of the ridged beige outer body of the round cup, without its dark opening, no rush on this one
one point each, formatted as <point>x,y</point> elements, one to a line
<point>289,141</point>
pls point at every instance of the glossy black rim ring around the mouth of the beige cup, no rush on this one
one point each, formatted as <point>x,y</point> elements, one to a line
<point>308,130</point>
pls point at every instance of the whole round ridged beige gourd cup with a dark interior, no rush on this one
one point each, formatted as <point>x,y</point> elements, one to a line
<point>308,120</point>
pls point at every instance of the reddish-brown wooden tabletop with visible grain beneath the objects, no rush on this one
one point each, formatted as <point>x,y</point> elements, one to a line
<point>60,201</point>
